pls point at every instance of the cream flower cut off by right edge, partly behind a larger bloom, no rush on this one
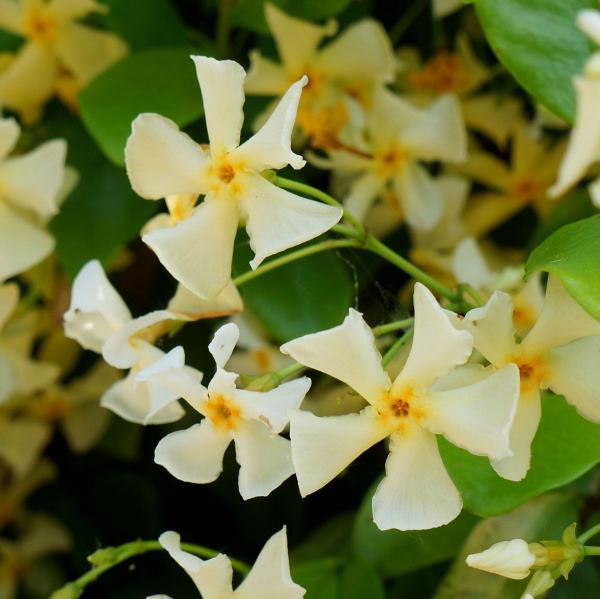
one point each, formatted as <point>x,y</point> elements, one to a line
<point>560,353</point>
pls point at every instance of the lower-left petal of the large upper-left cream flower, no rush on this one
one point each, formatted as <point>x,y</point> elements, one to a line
<point>198,251</point>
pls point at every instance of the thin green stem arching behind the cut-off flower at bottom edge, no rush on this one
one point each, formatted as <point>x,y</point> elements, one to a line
<point>109,557</point>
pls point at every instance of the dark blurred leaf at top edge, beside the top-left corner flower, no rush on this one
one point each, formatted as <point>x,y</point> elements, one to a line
<point>154,24</point>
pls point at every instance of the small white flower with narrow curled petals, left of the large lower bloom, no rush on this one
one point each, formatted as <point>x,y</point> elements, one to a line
<point>252,420</point>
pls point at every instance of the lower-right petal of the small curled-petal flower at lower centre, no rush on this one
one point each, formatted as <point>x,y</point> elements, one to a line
<point>265,459</point>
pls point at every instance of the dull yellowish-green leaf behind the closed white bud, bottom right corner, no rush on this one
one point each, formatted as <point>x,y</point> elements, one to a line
<point>542,519</point>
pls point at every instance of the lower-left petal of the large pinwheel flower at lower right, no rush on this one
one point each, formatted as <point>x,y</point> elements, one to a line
<point>323,447</point>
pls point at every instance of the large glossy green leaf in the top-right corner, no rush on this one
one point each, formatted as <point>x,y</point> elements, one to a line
<point>540,45</point>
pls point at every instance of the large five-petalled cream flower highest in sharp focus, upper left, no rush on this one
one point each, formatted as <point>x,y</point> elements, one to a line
<point>162,161</point>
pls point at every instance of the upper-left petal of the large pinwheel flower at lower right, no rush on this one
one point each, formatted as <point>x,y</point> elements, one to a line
<point>346,352</point>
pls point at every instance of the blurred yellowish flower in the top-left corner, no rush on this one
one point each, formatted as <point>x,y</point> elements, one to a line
<point>57,48</point>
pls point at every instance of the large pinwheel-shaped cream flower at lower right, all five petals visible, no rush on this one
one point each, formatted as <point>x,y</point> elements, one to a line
<point>473,408</point>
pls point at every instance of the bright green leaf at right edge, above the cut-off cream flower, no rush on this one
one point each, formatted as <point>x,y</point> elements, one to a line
<point>571,253</point>
